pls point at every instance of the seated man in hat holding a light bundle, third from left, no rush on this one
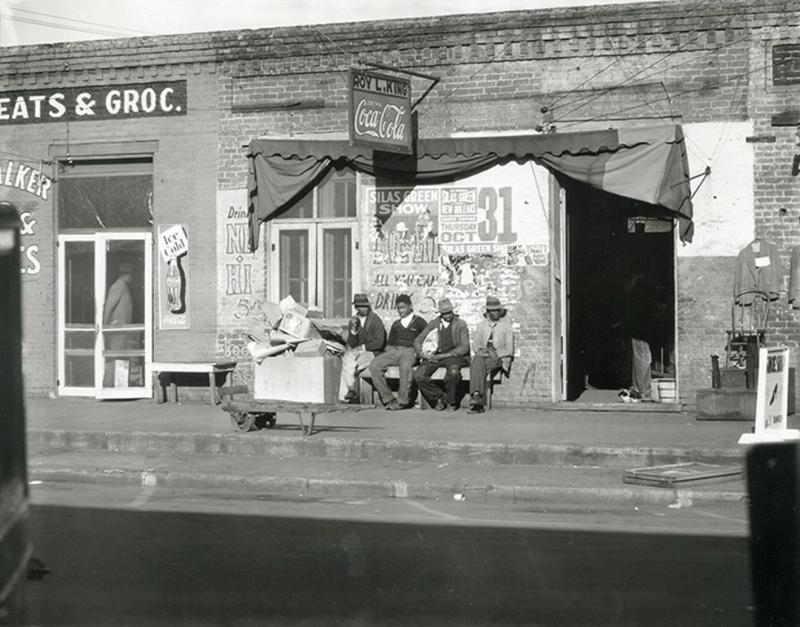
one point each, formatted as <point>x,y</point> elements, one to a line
<point>450,335</point>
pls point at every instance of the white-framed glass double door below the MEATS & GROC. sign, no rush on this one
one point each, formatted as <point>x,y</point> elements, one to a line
<point>105,315</point>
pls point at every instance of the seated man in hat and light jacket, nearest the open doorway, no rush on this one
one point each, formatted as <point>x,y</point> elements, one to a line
<point>493,350</point>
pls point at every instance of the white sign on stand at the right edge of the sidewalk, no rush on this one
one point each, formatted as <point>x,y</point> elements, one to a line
<point>772,399</point>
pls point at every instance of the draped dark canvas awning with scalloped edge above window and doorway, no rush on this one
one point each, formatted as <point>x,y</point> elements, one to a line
<point>647,164</point>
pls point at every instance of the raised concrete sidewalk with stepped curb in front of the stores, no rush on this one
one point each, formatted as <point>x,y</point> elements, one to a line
<point>542,454</point>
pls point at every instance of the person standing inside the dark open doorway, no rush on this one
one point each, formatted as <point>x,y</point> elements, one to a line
<point>639,323</point>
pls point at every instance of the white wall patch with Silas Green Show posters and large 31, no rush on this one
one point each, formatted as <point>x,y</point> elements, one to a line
<point>423,235</point>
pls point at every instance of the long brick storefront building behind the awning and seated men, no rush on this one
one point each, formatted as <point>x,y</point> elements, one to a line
<point>115,150</point>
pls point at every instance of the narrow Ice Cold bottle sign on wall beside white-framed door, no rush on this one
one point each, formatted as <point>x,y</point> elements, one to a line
<point>173,248</point>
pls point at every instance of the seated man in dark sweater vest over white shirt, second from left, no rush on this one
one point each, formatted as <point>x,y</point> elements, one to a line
<point>399,352</point>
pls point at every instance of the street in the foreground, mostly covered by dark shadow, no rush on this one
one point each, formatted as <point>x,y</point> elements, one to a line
<point>121,556</point>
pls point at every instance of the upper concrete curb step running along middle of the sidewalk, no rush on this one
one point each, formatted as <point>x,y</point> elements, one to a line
<point>320,446</point>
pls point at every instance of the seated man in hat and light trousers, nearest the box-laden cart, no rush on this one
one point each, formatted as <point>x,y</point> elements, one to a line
<point>366,337</point>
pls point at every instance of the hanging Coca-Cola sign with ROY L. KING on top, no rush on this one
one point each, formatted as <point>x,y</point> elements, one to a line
<point>380,111</point>
